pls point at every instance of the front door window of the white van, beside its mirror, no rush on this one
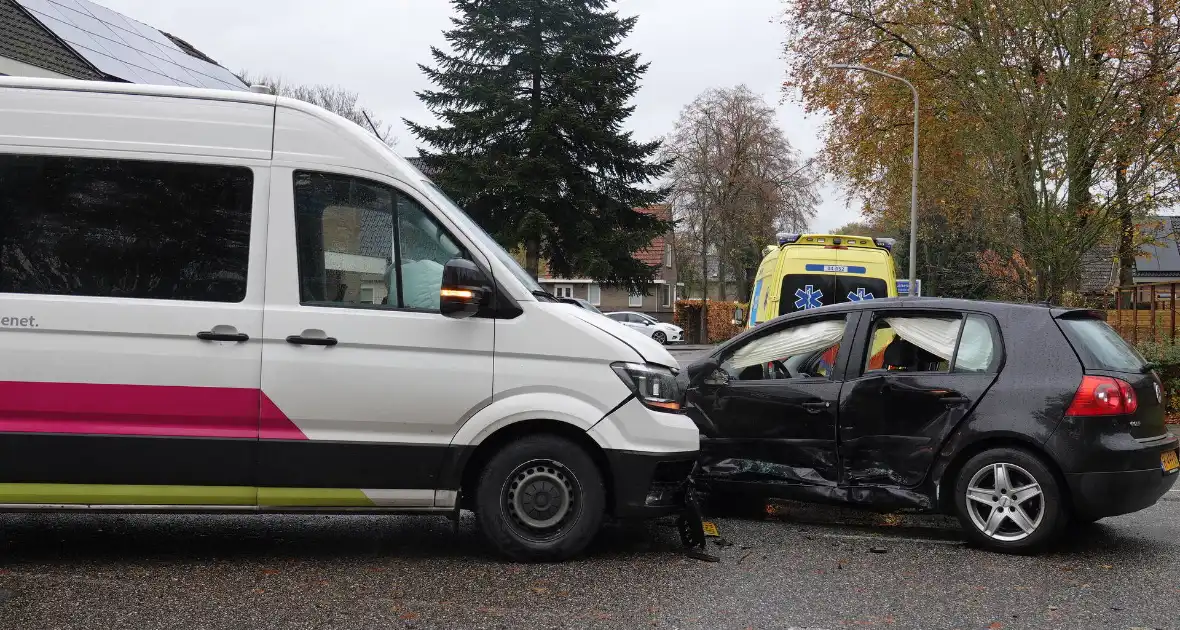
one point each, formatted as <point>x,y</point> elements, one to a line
<point>366,245</point>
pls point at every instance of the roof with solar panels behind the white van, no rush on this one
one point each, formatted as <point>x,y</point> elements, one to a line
<point>80,40</point>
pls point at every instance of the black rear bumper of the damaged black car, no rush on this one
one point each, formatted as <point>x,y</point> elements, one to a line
<point>1113,494</point>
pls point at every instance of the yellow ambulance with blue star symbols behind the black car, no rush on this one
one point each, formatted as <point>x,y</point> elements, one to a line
<point>810,271</point>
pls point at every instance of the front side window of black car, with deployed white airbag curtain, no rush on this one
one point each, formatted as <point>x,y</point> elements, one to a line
<point>803,351</point>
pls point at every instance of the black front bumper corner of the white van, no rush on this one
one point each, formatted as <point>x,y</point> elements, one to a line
<point>650,485</point>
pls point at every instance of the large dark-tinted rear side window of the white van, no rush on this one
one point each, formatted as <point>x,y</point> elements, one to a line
<point>122,228</point>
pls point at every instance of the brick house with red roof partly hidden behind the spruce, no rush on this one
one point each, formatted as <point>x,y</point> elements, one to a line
<point>661,299</point>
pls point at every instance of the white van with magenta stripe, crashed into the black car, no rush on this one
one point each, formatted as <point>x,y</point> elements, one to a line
<point>230,301</point>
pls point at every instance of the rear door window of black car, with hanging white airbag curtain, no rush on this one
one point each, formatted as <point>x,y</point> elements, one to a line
<point>910,344</point>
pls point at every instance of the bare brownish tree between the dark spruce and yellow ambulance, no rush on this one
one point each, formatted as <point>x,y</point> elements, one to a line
<point>737,181</point>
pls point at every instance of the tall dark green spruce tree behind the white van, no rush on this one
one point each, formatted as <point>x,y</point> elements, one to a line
<point>532,142</point>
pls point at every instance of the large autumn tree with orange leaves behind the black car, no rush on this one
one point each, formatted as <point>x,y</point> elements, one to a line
<point>1048,127</point>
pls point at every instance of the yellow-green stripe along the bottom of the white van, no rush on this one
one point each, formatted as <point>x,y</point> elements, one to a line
<point>150,495</point>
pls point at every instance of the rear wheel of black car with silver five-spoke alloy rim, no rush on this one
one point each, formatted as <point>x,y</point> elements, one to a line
<point>1008,501</point>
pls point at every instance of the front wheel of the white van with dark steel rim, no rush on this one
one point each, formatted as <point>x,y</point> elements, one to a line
<point>541,498</point>
